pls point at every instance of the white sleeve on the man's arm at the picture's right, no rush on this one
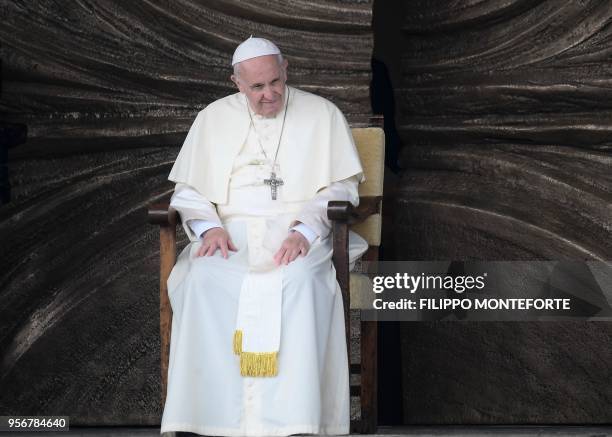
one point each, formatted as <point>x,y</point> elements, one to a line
<point>314,213</point>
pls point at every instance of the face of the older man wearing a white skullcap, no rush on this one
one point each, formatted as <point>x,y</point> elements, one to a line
<point>262,80</point>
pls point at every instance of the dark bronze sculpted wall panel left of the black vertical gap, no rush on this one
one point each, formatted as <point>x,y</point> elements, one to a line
<point>107,90</point>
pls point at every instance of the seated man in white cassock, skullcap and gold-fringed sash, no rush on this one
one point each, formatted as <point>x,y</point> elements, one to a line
<point>257,343</point>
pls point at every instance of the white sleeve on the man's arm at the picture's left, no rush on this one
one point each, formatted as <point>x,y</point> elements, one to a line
<point>197,213</point>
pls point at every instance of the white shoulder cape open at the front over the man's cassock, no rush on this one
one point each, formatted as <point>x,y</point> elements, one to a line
<point>317,147</point>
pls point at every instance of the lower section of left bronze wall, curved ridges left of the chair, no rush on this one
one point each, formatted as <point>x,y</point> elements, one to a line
<point>79,300</point>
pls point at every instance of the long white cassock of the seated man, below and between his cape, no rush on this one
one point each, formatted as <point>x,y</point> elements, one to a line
<point>309,394</point>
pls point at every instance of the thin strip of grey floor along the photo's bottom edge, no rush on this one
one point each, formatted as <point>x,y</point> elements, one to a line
<point>424,431</point>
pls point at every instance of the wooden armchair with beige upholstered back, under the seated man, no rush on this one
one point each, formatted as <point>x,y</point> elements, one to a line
<point>365,220</point>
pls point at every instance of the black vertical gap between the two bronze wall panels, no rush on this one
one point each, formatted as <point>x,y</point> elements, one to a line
<point>386,75</point>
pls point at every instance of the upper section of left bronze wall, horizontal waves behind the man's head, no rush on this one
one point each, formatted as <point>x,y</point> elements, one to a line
<point>75,65</point>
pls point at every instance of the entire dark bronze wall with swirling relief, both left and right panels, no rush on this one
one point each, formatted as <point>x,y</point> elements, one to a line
<point>505,115</point>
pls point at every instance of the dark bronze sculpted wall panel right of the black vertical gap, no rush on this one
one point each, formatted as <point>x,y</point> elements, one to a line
<point>506,116</point>
